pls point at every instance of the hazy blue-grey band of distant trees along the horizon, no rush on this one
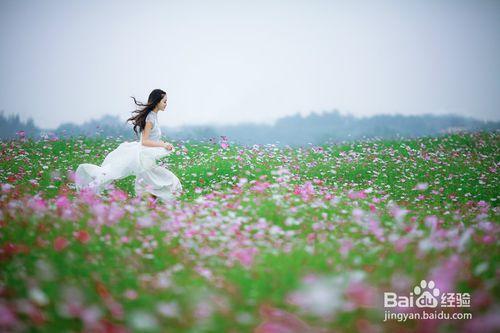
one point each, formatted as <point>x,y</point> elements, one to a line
<point>294,130</point>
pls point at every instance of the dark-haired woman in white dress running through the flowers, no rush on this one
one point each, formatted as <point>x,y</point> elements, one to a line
<point>137,158</point>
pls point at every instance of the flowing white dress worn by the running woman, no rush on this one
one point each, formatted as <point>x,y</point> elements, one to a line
<point>133,158</point>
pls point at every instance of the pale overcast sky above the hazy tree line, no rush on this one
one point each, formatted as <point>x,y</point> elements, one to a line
<point>224,62</point>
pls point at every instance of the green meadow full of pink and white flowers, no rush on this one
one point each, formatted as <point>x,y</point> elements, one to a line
<point>264,239</point>
